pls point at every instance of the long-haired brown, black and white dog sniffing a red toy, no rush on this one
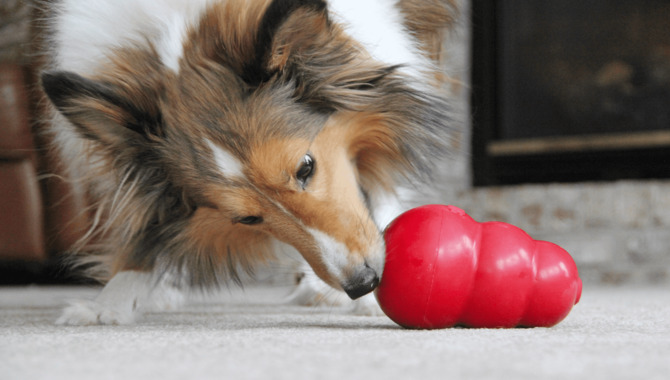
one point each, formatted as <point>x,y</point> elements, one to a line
<point>209,134</point>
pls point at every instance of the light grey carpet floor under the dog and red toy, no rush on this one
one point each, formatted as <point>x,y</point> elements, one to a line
<point>613,333</point>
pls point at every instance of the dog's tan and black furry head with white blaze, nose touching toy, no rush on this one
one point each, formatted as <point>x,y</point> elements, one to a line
<point>276,124</point>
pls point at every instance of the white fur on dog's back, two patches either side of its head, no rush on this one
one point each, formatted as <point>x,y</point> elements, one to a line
<point>87,30</point>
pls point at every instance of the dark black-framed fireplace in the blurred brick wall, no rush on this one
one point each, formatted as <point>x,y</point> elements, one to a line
<point>570,90</point>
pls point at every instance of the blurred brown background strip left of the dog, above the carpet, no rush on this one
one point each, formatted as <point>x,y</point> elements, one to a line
<point>39,218</point>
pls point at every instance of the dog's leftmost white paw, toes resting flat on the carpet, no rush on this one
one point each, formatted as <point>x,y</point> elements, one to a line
<point>82,313</point>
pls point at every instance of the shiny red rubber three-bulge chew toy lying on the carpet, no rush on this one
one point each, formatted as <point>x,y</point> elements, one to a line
<point>445,269</point>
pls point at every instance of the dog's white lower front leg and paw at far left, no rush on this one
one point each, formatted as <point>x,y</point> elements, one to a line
<point>117,303</point>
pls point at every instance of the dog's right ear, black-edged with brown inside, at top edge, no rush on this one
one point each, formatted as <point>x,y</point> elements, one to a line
<point>287,28</point>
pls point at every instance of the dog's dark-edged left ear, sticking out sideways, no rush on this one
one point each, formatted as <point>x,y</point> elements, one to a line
<point>100,110</point>
